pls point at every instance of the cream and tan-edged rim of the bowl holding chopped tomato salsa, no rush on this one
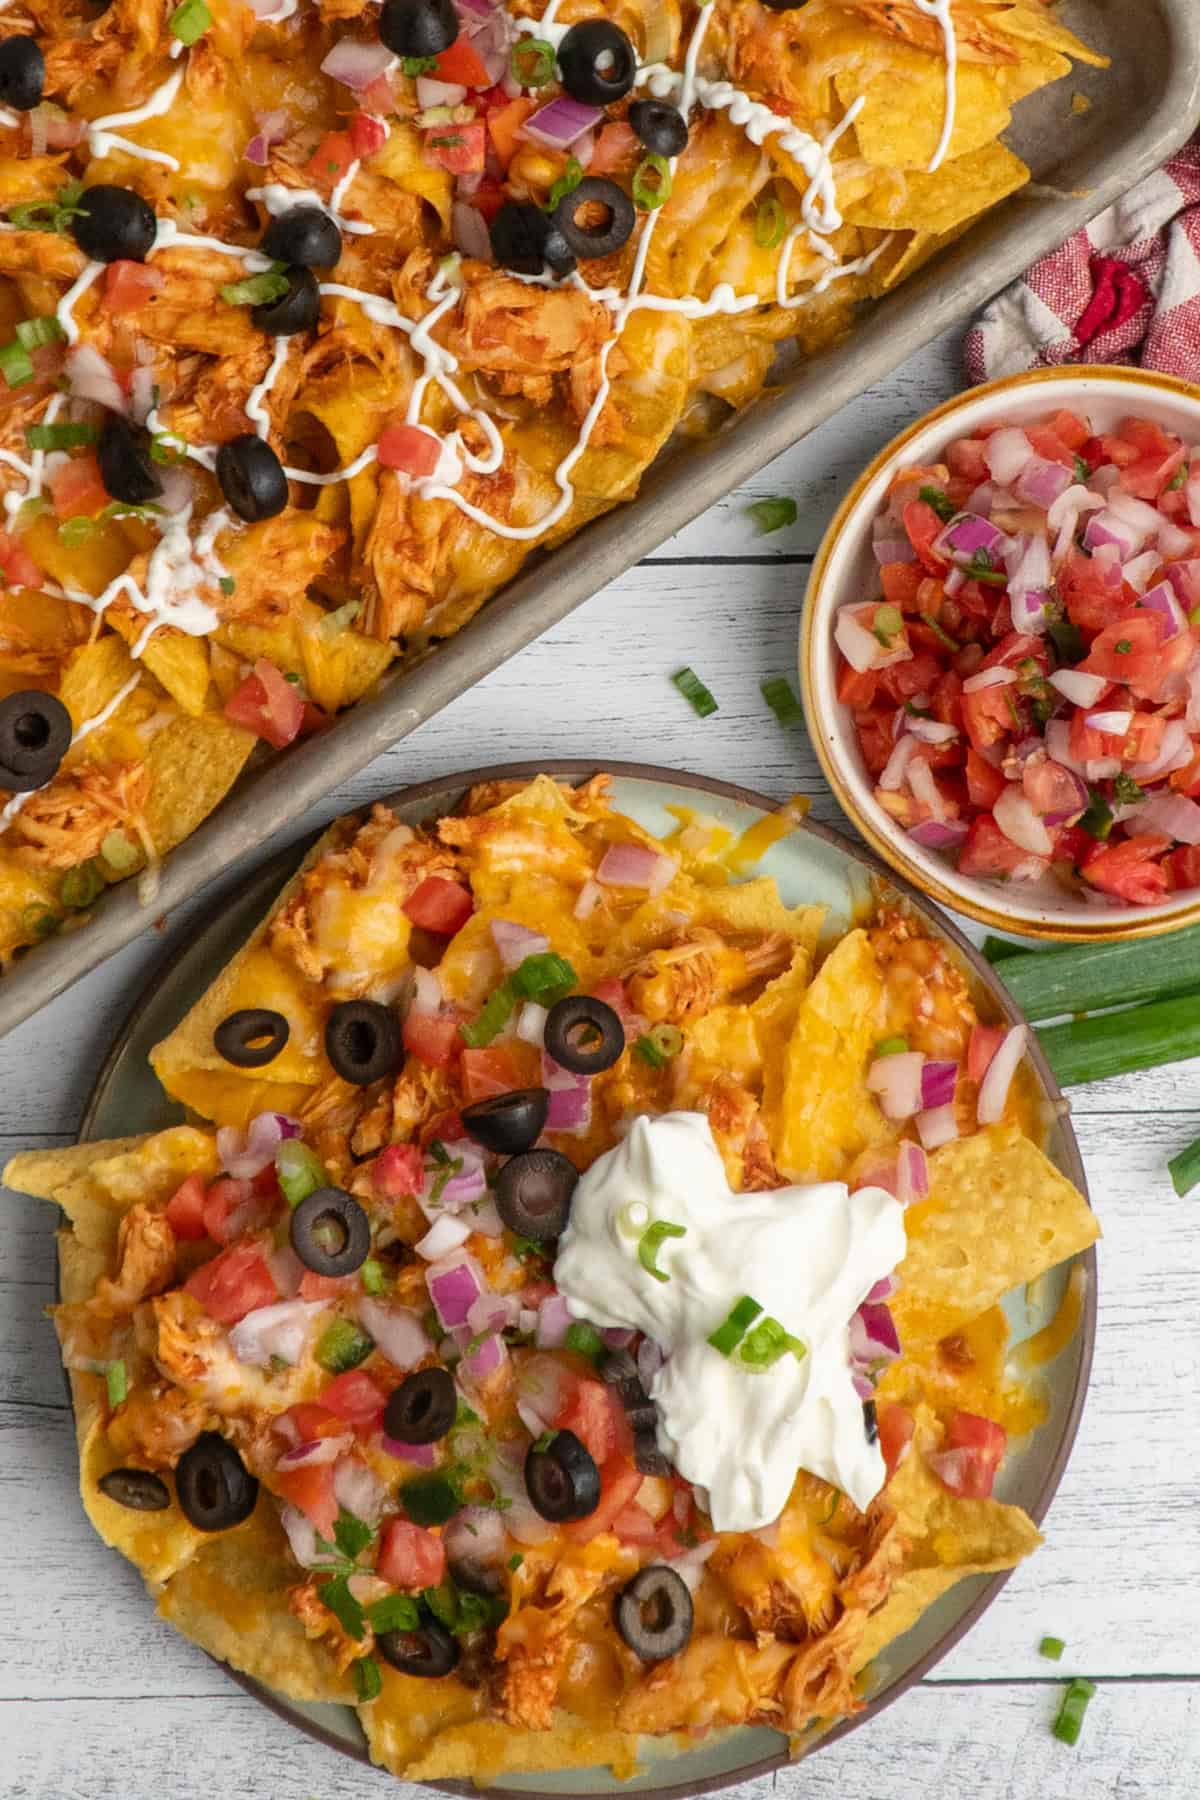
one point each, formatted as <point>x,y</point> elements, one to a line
<point>965,894</point>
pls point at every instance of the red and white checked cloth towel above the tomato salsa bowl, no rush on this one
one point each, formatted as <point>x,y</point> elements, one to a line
<point>1127,289</point>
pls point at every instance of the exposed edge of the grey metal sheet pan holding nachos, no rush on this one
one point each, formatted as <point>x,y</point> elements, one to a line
<point>1142,109</point>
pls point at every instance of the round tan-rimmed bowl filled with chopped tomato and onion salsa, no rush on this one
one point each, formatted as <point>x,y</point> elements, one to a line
<point>1005,652</point>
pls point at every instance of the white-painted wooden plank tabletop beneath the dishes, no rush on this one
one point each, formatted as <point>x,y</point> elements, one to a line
<point>102,1702</point>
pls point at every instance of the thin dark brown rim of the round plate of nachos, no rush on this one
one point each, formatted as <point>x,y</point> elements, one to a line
<point>580,769</point>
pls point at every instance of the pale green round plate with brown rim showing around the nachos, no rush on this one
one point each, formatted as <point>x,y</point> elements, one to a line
<point>810,865</point>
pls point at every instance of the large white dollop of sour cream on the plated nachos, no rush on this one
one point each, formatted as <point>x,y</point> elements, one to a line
<point>809,1255</point>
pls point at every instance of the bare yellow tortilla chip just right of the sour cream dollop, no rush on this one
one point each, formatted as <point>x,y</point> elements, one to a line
<point>998,1214</point>
